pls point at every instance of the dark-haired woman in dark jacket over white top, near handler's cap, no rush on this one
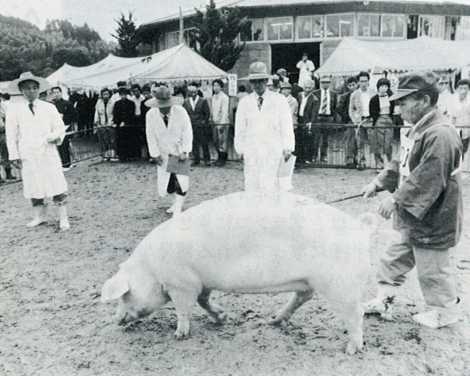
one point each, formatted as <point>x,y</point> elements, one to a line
<point>381,110</point>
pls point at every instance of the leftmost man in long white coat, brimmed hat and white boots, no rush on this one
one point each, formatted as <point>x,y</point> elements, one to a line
<point>34,128</point>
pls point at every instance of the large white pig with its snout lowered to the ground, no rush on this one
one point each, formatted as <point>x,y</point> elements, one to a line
<point>248,243</point>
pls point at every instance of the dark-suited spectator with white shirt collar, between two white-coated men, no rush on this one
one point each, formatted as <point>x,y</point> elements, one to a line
<point>199,113</point>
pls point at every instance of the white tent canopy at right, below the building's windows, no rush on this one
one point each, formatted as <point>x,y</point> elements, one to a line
<point>353,55</point>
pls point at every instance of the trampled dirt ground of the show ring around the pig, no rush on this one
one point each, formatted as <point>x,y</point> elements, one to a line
<point>52,322</point>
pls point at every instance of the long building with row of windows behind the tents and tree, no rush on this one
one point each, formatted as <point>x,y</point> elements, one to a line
<point>282,30</point>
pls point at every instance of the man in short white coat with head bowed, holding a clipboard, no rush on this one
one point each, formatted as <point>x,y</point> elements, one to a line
<point>169,133</point>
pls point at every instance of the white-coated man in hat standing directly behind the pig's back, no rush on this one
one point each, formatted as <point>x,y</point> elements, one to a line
<point>264,133</point>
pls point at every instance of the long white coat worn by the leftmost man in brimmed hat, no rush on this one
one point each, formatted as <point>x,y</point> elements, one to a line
<point>27,135</point>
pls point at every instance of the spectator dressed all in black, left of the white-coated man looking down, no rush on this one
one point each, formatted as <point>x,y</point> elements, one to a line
<point>126,132</point>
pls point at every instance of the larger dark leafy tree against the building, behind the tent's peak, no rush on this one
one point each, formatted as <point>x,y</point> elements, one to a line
<point>215,34</point>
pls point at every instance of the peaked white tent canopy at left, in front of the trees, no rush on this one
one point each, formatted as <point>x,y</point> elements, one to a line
<point>177,63</point>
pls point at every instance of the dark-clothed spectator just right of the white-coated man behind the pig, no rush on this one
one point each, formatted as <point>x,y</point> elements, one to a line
<point>307,136</point>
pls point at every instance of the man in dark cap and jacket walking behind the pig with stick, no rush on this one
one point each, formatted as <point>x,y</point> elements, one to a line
<point>426,205</point>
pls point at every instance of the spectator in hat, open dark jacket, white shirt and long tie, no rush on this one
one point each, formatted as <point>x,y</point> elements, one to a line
<point>326,115</point>
